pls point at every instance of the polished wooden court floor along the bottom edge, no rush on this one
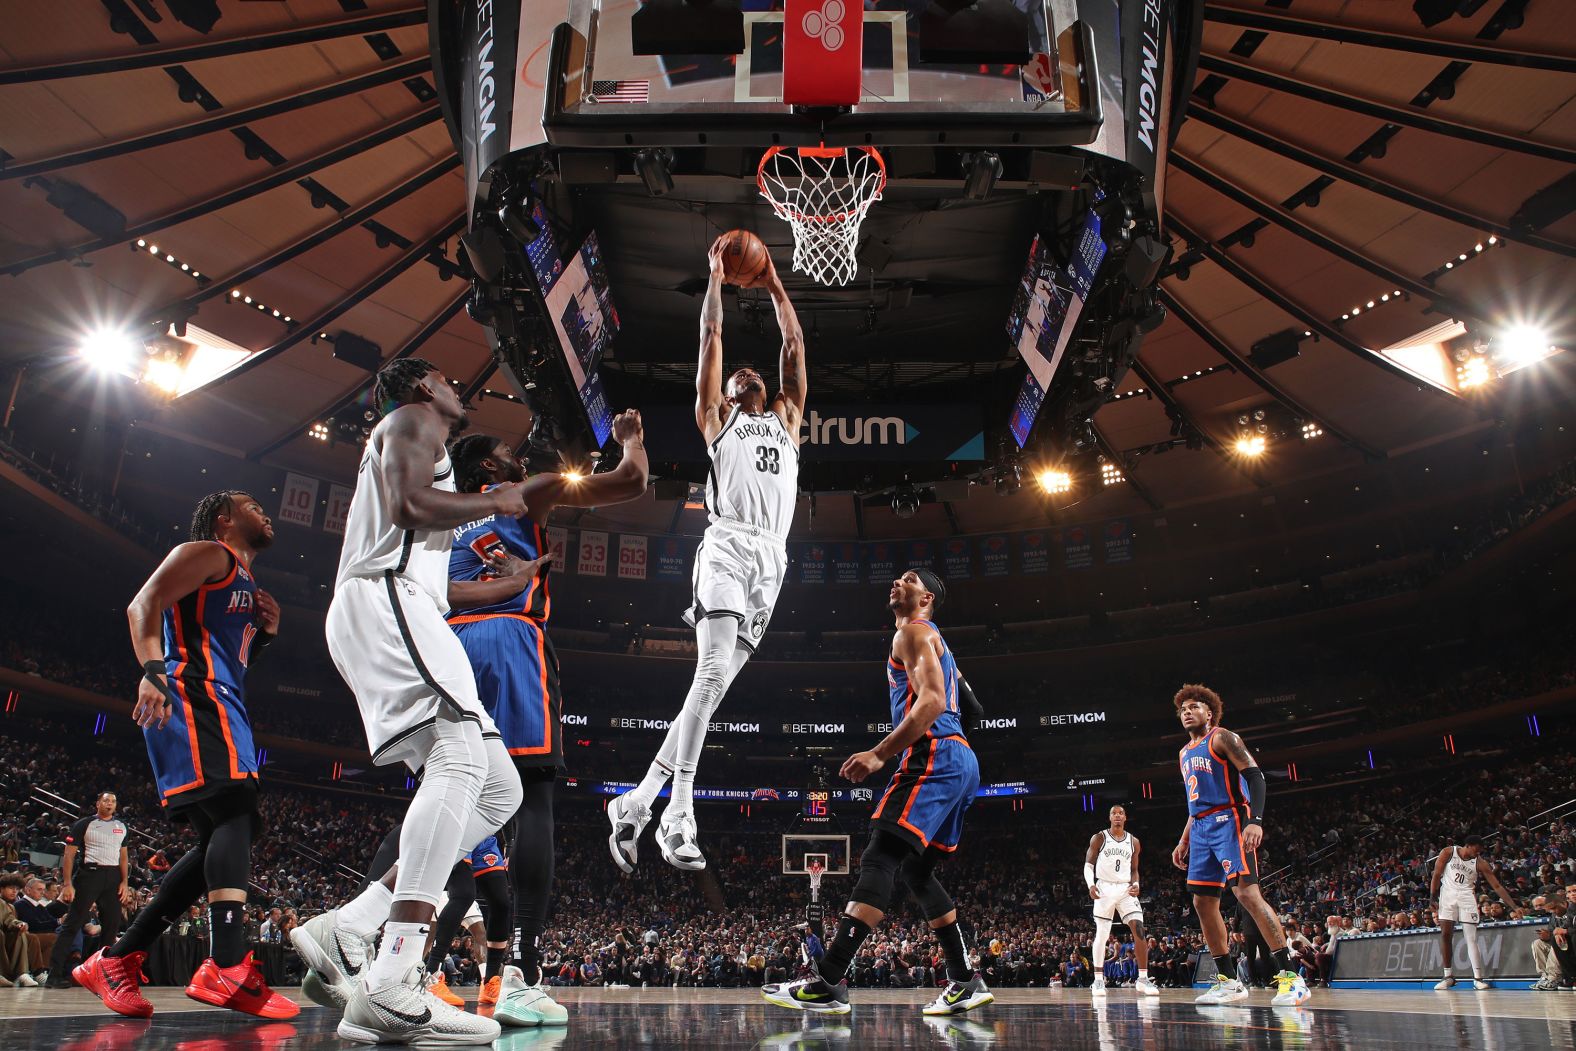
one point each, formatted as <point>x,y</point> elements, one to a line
<point>729,1019</point>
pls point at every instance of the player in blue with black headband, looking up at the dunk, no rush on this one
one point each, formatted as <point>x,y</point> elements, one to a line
<point>920,819</point>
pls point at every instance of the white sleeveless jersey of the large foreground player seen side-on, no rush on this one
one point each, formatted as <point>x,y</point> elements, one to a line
<point>376,546</point>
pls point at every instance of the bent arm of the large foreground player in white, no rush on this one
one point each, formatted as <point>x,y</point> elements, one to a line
<point>411,445</point>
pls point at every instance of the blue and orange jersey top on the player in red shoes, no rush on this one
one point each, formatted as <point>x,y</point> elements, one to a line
<point>209,634</point>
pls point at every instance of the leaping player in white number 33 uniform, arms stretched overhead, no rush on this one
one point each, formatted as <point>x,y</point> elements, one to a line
<point>751,494</point>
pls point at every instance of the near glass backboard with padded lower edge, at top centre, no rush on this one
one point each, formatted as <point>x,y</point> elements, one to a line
<point>601,94</point>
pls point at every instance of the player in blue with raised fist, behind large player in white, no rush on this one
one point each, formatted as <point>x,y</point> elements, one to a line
<point>499,606</point>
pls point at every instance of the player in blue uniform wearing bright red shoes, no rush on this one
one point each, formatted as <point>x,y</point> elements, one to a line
<point>196,626</point>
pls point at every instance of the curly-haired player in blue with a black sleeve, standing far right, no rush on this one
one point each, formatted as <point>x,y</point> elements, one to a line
<point>1219,849</point>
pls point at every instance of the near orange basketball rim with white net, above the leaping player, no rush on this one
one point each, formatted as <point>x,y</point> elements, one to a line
<point>823,195</point>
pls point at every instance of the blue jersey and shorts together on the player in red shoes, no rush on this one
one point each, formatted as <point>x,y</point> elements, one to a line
<point>207,746</point>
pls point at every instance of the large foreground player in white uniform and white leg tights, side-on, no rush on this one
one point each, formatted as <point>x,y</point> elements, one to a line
<point>418,700</point>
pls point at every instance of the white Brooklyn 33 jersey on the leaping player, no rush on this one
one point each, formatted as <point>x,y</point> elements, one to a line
<point>754,474</point>
